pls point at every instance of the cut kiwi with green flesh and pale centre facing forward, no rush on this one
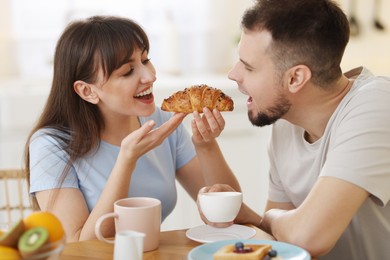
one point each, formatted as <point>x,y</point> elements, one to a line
<point>33,240</point>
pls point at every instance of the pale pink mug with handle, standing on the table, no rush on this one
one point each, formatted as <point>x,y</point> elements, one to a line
<point>140,214</point>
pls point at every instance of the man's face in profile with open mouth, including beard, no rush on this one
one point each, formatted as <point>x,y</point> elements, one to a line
<point>257,77</point>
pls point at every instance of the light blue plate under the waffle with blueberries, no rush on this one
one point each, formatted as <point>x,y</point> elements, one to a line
<point>285,251</point>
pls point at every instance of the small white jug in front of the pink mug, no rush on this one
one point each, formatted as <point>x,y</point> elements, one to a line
<point>129,244</point>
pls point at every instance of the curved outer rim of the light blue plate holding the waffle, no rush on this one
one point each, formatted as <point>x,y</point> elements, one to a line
<point>250,240</point>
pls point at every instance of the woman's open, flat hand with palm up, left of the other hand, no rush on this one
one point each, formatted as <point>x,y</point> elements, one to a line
<point>146,138</point>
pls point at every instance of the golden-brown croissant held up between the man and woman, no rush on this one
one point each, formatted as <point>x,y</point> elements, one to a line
<point>195,98</point>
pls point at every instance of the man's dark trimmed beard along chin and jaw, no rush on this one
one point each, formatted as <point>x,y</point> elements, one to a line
<point>271,115</point>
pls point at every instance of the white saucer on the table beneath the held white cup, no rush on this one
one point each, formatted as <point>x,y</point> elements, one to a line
<point>208,234</point>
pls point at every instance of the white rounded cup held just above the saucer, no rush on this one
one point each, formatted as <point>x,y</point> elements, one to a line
<point>219,207</point>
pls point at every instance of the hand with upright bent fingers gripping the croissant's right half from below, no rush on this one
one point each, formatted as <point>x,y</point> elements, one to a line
<point>207,127</point>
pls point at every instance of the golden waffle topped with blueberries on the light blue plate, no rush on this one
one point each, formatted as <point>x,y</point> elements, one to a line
<point>239,251</point>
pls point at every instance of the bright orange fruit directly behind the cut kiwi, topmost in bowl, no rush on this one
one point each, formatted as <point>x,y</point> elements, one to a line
<point>46,220</point>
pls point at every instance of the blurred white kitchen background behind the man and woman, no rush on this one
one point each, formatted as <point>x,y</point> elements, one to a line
<point>192,42</point>
